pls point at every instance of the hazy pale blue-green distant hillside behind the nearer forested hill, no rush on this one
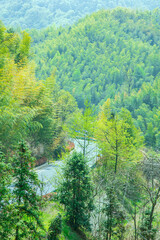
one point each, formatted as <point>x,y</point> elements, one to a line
<point>42,13</point>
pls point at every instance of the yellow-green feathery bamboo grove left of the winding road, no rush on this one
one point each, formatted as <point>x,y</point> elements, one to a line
<point>29,109</point>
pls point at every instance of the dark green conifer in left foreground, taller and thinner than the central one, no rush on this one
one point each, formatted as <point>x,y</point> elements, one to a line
<point>27,212</point>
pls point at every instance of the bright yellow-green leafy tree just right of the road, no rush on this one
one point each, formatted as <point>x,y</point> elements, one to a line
<point>118,138</point>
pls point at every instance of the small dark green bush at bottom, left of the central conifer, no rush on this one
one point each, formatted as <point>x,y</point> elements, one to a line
<point>55,228</point>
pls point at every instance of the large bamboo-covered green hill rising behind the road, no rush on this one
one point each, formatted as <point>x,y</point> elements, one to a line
<point>110,54</point>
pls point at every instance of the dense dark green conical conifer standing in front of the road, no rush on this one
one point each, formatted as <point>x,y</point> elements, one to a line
<point>75,192</point>
